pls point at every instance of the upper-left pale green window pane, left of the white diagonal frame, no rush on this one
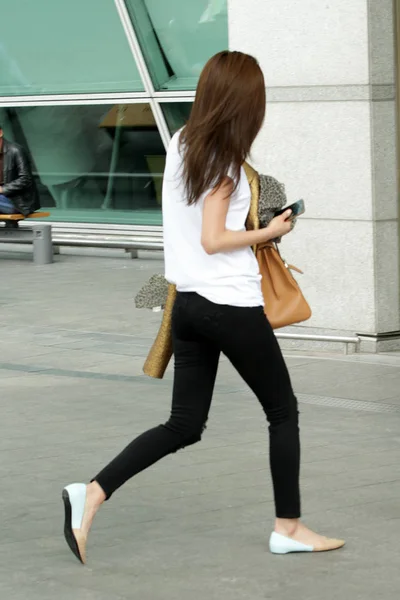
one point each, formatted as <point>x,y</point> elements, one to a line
<point>50,47</point>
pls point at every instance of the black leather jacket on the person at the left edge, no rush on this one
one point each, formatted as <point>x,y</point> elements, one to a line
<point>18,182</point>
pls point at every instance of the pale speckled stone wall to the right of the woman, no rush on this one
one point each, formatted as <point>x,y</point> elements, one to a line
<point>330,136</point>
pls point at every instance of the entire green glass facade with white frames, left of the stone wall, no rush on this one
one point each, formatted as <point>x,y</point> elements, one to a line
<point>97,97</point>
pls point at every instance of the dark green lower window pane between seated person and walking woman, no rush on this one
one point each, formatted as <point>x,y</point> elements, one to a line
<point>99,164</point>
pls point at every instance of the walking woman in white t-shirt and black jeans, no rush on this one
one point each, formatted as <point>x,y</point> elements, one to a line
<point>219,304</point>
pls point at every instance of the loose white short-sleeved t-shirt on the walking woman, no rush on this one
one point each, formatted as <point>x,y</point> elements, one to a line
<point>231,278</point>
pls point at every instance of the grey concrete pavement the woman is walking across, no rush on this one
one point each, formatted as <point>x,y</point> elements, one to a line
<point>195,525</point>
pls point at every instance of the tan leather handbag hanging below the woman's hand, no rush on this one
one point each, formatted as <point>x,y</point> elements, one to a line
<point>284,301</point>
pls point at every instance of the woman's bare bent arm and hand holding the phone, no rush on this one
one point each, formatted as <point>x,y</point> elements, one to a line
<point>217,238</point>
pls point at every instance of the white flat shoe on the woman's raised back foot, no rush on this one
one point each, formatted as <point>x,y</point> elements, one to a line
<point>74,497</point>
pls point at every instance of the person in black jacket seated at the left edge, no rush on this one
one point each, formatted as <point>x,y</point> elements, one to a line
<point>18,193</point>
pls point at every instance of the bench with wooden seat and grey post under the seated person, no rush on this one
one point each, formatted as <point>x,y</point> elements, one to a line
<point>37,234</point>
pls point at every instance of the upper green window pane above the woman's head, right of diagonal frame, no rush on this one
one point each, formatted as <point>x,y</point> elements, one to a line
<point>178,37</point>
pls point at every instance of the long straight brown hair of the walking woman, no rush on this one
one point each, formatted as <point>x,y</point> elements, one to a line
<point>226,117</point>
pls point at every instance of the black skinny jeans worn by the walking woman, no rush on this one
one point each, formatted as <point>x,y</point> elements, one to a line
<point>201,331</point>
